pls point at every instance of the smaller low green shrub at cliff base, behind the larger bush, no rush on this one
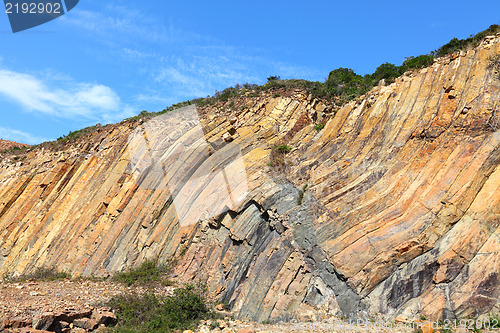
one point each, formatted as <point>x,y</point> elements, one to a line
<point>148,273</point>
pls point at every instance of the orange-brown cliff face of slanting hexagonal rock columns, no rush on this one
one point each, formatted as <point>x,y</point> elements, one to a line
<point>392,208</point>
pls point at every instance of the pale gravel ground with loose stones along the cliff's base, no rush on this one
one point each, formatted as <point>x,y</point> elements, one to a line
<point>25,300</point>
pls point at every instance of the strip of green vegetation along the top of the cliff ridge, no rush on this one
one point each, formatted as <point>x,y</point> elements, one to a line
<point>341,86</point>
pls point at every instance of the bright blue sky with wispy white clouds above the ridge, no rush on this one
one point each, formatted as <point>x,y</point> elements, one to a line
<point>108,60</point>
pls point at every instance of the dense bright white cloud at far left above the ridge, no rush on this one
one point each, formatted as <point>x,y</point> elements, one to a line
<point>62,97</point>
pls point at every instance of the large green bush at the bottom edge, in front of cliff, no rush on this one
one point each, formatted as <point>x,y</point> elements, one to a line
<point>151,313</point>
